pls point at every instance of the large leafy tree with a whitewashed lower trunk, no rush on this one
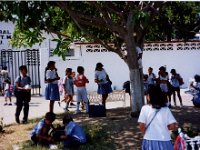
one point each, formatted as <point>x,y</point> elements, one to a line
<point>124,24</point>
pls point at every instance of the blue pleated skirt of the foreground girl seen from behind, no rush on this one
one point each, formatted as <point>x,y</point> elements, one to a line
<point>156,145</point>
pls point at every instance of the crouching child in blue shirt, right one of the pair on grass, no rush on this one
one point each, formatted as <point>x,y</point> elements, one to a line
<point>74,134</point>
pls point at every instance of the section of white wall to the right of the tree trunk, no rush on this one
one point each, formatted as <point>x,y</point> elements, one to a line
<point>186,62</point>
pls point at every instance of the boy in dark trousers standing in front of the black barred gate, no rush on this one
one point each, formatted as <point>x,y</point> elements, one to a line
<point>23,94</point>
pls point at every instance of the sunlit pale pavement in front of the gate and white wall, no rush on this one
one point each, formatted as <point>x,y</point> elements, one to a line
<point>39,106</point>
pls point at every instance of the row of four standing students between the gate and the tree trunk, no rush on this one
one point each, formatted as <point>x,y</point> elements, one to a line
<point>52,89</point>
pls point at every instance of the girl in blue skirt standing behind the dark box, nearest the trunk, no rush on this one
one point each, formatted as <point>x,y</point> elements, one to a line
<point>103,81</point>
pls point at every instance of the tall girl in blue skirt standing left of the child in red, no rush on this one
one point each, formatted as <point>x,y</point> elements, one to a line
<point>52,90</point>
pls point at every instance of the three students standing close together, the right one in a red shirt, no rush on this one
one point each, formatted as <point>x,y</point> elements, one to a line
<point>52,89</point>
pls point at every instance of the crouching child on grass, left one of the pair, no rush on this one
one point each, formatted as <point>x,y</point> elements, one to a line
<point>40,132</point>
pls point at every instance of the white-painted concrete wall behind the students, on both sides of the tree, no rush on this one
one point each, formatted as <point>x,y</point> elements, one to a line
<point>186,62</point>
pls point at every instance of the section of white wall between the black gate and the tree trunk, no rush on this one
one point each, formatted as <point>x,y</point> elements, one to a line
<point>115,67</point>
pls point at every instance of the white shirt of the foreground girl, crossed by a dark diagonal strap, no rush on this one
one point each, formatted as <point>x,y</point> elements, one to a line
<point>158,129</point>
